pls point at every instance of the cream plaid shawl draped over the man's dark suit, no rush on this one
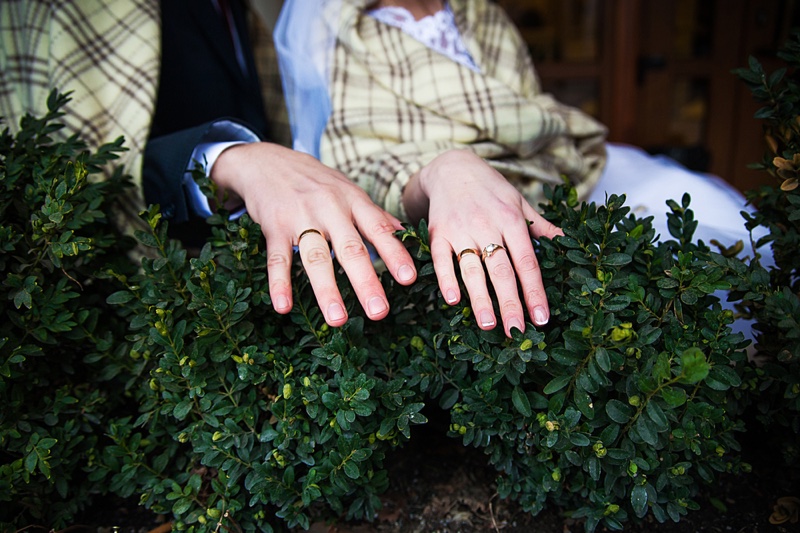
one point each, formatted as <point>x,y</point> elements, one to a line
<point>107,52</point>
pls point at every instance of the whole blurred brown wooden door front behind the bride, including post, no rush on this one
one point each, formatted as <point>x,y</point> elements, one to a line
<point>658,72</point>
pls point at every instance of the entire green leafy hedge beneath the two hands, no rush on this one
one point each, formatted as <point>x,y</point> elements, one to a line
<point>172,380</point>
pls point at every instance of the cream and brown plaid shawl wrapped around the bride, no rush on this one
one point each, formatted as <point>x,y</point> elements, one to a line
<point>397,105</point>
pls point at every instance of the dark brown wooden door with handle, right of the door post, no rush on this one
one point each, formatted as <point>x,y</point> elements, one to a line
<point>689,104</point>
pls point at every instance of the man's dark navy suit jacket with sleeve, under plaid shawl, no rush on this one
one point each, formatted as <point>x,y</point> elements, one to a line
<point>200,82</point>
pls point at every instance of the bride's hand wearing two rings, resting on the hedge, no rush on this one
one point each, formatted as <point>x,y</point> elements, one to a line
<point>470,207</point>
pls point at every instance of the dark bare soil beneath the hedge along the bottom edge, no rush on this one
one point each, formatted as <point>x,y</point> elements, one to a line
<point>440,486</point>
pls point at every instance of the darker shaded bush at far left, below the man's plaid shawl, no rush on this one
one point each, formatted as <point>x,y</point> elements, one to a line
<point>60,362</point>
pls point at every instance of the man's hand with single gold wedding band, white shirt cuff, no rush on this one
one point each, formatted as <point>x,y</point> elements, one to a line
<point>288,193</point>
